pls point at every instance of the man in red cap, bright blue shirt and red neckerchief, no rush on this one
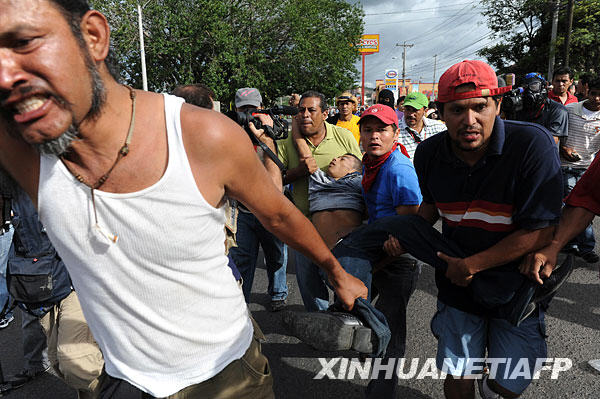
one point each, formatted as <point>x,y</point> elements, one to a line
<point>390,187</point>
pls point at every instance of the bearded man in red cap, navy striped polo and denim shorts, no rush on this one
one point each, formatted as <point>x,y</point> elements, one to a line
<point>497,187</point>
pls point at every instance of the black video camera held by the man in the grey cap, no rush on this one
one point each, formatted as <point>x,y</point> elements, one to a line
<point>279,131</point>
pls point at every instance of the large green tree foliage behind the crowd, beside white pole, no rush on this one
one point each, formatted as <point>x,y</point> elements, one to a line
<point>278,46</point>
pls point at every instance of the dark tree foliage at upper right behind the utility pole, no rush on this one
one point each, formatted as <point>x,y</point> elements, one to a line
<point>524,27</point>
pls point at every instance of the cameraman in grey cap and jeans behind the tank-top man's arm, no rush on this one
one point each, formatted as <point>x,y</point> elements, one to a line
<point>250,232</point>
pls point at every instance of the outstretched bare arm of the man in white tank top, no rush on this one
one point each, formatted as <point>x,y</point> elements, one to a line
<point>224,162</point>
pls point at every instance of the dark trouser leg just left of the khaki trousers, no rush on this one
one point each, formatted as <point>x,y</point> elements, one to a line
<point>35,350</point>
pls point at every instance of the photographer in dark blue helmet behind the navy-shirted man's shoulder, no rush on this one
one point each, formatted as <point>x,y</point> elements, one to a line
<point>531,104</point>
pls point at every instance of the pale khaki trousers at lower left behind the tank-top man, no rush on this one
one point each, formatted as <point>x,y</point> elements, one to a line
<point>72,350</point>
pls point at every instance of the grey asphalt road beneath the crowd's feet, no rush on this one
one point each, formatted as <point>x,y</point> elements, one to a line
<point>573,326</point>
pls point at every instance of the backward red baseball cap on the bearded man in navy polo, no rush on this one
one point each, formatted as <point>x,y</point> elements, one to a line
<point>469,71</point>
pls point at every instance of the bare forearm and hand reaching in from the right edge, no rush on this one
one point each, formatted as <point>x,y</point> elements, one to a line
<point>541,263</point>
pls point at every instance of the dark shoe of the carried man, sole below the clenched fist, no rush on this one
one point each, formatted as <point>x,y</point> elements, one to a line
<point>329,331</point>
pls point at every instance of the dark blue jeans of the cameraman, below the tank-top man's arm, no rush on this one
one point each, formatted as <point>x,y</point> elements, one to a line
<point>251,234</point>
